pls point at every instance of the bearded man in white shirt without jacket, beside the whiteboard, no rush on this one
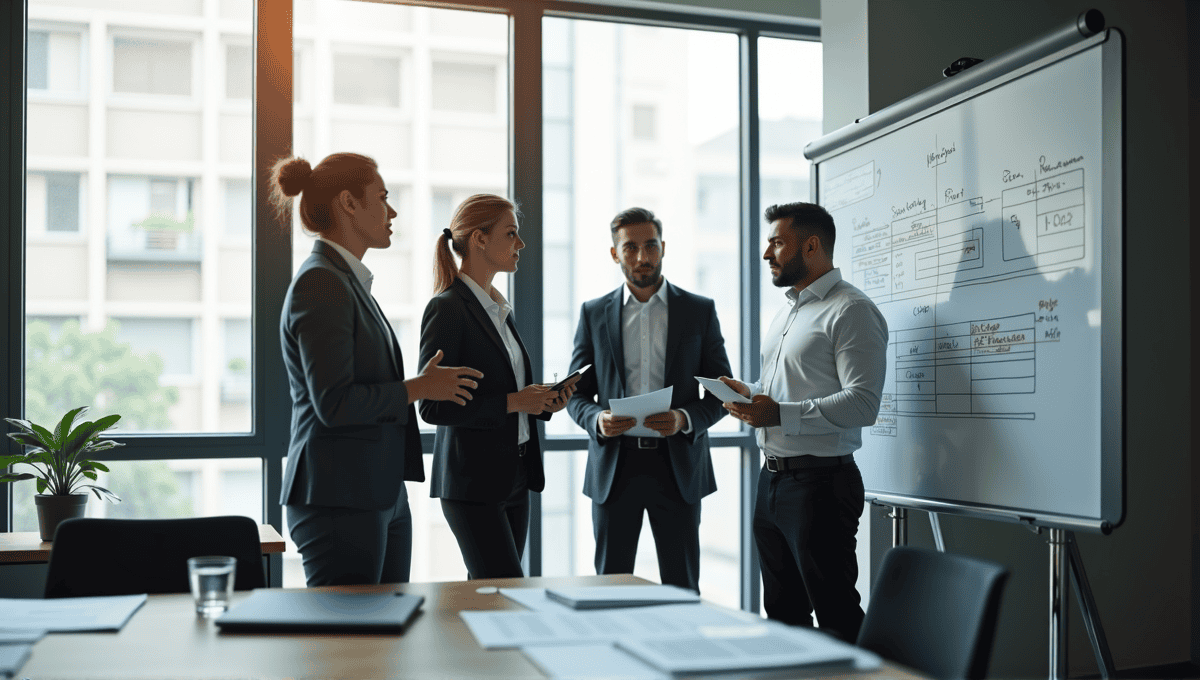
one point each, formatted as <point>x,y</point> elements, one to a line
<point>824,363</point>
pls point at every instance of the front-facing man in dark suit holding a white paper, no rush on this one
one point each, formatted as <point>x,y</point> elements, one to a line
<point>643,338</point>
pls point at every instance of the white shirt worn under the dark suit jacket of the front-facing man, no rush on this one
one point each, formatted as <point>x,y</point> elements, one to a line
<point>644,338</point>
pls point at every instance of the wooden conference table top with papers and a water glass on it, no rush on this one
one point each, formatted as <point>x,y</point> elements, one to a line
<point>166,640</point>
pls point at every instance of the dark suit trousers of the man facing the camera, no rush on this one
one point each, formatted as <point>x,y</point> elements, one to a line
<point>645,485</point>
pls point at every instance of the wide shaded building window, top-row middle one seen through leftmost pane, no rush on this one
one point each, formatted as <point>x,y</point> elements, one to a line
<point>152,67</point>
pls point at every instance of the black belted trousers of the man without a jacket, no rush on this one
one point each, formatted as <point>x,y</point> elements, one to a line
<point>805,526</point>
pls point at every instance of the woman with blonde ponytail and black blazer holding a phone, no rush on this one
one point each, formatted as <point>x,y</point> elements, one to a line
<point>487,453</point>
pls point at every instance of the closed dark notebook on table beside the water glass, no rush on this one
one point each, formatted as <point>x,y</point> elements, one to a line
<point>321,611</point>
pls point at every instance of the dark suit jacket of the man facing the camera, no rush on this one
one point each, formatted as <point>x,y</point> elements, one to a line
<point>695,347</point>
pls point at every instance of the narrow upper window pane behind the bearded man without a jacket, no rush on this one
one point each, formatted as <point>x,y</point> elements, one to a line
<point>790,112</point>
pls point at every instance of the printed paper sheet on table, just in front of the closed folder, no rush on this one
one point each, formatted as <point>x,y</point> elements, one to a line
<point>508,630</point>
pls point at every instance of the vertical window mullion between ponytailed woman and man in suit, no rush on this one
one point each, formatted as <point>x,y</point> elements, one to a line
<point>526,188</point>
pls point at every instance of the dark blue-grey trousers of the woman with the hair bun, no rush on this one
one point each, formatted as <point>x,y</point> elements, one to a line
<point>346,546</point>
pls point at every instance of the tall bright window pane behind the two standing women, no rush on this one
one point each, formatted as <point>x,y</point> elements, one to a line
<point>439,136</point>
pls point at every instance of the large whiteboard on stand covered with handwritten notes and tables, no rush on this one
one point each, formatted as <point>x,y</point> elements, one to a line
<point>987,228</point>
